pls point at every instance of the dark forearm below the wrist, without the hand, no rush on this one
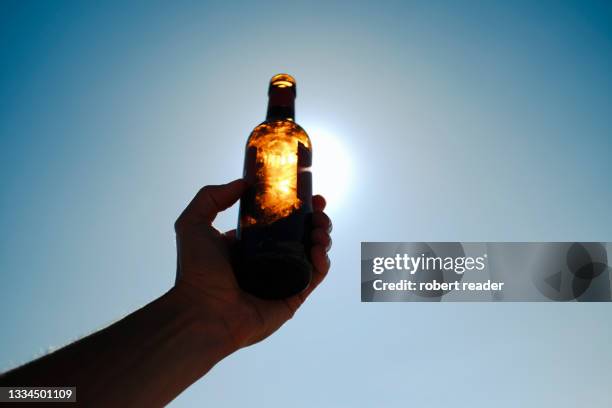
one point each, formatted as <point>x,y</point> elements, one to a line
<point>145,359</point>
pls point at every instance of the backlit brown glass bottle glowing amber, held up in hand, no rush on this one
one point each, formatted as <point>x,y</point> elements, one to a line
<point>273,260</point>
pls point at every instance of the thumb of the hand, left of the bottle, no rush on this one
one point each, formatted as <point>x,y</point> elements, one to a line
<point>209,201</point>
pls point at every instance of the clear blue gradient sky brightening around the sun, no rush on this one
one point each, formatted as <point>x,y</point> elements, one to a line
<point>463,121</point>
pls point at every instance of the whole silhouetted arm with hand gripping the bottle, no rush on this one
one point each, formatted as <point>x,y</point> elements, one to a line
<point>153,354</point>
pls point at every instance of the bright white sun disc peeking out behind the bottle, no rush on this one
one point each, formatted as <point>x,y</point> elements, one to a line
<point>331,167</point>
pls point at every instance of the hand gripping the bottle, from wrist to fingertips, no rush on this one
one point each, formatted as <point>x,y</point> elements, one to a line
<point>205,278</point>
